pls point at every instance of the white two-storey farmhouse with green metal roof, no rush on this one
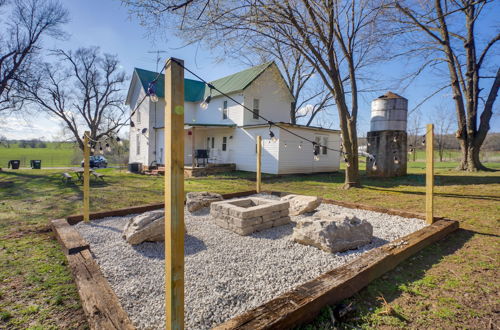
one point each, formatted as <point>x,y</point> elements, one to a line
<point>225,131</point>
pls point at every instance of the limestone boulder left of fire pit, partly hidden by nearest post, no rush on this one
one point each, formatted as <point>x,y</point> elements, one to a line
<point>146,227</point>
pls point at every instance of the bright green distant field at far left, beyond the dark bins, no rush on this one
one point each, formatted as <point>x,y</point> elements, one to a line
<point>56,154</point>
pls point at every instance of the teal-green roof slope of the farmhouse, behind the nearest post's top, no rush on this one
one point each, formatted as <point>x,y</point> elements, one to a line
<point>193,89</point>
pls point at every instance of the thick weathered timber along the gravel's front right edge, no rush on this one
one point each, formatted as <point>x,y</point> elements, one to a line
<point>305,302</point>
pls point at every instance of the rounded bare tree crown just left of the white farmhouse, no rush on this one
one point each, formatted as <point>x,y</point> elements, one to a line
<point>84,89</point>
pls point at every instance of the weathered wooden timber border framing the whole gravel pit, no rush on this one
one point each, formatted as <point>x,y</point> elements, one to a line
<point>297,306</point>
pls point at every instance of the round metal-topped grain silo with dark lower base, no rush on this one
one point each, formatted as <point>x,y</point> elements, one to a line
<point>387,137</point>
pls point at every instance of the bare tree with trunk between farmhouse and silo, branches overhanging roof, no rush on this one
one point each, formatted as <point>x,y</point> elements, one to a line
<point>336,38</point>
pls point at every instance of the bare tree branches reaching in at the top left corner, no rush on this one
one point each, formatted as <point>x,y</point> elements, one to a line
<point>27,23</point>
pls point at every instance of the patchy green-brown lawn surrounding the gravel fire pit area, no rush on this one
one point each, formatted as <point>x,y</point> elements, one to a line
<point>453,283</point>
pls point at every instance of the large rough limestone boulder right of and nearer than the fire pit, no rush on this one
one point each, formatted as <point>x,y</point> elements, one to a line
<point>334,234</point>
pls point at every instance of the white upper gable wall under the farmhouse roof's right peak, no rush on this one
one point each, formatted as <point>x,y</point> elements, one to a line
<point>274,98</point>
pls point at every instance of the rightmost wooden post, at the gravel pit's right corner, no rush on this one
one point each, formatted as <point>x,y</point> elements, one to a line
<point>429,175</point>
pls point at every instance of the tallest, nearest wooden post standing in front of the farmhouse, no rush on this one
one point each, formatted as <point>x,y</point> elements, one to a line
<point>174,194</point>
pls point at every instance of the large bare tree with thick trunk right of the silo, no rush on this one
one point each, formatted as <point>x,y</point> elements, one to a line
<point>447,32</point>
